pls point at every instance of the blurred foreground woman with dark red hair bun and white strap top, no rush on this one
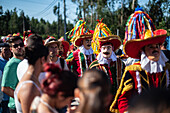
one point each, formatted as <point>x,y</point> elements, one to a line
<point>58,90</point>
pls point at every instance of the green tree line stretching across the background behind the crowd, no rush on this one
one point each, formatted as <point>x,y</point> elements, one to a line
<point>114,12</point>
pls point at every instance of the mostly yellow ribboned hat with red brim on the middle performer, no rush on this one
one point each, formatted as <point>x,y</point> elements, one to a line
<point>102,34</point>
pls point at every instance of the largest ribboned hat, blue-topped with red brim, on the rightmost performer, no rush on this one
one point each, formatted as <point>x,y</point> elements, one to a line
<point>140,31</point>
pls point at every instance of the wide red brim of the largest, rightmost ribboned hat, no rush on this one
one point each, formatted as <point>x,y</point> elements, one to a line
<point>133,47</point>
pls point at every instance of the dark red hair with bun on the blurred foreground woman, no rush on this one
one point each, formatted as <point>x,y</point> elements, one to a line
<point>57,80</point>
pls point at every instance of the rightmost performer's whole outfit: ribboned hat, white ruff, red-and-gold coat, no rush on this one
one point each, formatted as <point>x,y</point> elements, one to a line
<point>145,74</point>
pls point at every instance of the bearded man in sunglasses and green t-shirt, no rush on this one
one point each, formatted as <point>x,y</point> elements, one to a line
<point>9,79</point>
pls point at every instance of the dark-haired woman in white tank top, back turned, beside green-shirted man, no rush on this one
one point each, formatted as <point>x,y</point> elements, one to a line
<point>28,87</point>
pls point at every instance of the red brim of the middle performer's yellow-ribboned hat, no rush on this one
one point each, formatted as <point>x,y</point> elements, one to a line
<point>114,39</point>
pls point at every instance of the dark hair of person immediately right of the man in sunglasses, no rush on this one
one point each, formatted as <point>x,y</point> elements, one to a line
<point>34,39</point>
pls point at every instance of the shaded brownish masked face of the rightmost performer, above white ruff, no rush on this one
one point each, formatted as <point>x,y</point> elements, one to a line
<point>152,51</point>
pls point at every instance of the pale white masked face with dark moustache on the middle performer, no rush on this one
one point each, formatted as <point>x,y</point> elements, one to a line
<point>107,50</point>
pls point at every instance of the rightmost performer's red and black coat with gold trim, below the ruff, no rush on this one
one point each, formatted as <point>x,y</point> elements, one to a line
<point>134,81</point>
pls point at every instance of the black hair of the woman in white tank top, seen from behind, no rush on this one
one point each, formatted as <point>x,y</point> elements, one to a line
<point>33,53</point>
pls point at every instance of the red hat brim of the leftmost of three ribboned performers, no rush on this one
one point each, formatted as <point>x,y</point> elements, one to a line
<point>78,39</point>
